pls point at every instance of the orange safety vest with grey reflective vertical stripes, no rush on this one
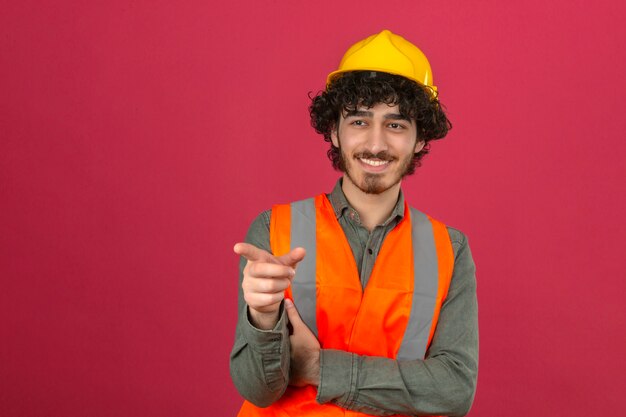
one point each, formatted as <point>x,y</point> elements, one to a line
<point>394,317</point>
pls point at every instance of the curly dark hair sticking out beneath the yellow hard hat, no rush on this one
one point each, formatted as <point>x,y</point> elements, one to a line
<point>368,88</point>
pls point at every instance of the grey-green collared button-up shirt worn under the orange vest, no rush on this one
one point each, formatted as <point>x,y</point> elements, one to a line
<point>443,383</point>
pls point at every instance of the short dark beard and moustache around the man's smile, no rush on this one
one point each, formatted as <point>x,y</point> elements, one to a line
<point>374,183</point>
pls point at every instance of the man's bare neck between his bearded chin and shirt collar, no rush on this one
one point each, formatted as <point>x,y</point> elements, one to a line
<point>373,209</point>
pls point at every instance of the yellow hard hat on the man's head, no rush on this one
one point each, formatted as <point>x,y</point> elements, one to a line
<point>387,52</point>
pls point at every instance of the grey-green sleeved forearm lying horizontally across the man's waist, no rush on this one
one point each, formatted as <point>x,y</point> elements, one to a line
<point>382,386</point>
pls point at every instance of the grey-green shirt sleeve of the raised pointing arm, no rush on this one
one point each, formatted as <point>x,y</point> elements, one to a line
<point>259,361</point>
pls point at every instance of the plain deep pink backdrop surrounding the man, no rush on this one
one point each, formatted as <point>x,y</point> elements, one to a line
<point>138,139</point>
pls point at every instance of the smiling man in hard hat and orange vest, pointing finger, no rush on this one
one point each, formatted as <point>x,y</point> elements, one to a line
<point>354,303</point>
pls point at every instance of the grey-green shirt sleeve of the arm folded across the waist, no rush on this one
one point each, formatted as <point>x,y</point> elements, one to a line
<point>443,383</point>
